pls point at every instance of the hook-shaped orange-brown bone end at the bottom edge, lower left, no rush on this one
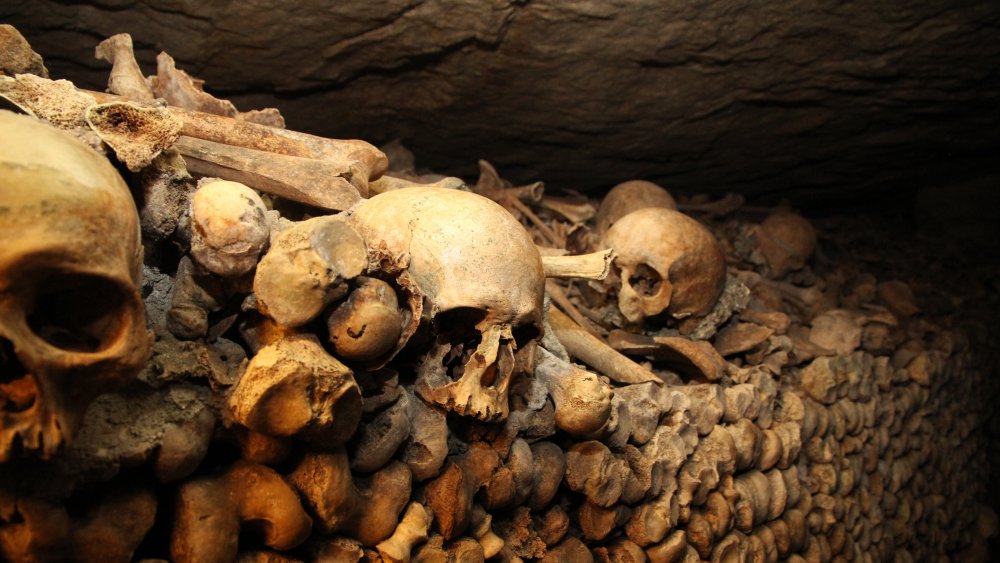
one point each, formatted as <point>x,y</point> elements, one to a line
<point>211,510</point>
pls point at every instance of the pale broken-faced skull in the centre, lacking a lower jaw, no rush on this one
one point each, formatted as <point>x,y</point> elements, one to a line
<point>481,278</point>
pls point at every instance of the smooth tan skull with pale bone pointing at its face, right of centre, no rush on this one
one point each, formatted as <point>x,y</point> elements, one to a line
<point>668,262</point>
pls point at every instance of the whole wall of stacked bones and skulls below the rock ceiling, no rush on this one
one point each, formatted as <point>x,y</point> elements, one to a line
<point>348,359</point>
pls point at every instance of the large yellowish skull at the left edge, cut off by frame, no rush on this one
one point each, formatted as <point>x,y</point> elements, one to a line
<point>72,322</point>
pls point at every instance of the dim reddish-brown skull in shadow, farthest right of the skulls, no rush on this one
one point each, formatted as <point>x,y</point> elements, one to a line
<point>786,240</point>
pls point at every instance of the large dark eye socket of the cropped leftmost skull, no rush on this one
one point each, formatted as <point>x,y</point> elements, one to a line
<point>78,312</point>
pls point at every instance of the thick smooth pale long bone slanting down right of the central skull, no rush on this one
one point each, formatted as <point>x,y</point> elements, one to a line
<point>595,352</point>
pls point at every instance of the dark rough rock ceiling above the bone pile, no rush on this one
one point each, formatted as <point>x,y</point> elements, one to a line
<point>829,99</point>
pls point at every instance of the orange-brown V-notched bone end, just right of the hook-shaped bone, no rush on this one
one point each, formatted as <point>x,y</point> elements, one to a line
<point>367,510</point>
